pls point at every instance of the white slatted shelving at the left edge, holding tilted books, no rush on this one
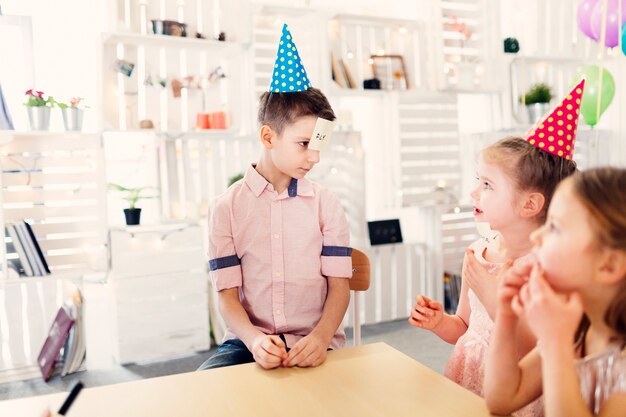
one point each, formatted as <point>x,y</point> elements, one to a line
<point>55,181</point>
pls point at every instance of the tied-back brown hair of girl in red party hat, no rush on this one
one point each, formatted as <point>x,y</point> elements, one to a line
<point>531,168</point>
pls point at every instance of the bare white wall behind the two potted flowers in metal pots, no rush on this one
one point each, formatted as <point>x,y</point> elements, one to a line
<point>66,41</point>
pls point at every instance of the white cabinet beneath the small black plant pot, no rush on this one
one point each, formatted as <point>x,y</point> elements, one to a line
<point>160,290</point>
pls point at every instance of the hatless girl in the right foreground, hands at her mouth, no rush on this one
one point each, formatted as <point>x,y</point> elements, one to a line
<point>574,301</point>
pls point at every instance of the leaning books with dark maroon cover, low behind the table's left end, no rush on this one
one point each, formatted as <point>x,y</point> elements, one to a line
<point>64,350</point>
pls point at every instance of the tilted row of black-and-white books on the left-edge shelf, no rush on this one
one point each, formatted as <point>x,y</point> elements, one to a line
<point>31,261</point>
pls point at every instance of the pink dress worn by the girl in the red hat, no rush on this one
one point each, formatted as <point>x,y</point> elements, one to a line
<point>466,365</point>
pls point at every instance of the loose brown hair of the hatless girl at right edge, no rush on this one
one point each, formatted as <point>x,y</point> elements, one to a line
<point>603,193</point>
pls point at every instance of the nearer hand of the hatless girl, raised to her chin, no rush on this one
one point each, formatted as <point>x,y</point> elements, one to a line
<point>551,316</point>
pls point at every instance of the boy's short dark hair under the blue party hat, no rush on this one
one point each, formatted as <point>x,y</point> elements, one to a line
<point>279,110</point>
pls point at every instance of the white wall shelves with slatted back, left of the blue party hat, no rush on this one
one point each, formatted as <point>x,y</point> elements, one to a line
<point>170,79</point>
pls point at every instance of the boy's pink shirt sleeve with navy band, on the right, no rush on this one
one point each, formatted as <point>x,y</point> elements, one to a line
<point>336,251</point>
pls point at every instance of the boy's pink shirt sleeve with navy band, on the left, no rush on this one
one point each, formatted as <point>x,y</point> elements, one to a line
<point>224,264</point>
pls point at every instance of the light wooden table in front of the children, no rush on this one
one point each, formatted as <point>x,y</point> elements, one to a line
<point>368,380</point>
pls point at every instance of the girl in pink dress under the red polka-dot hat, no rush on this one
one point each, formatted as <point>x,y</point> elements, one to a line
<point>516,183</point>
